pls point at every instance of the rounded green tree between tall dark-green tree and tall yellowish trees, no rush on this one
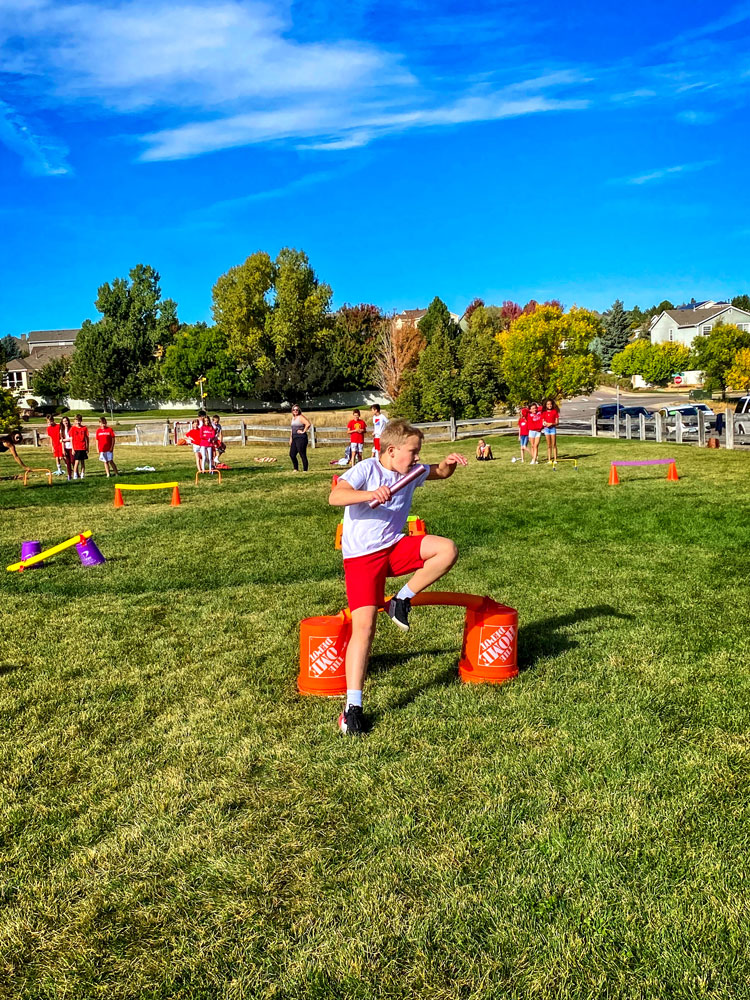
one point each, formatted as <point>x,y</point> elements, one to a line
<point>199,350</point>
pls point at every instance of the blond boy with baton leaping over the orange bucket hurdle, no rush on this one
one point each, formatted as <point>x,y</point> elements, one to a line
<point>374,547</point>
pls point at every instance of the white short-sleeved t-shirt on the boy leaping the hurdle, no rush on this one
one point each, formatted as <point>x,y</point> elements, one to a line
<point>367,530</point>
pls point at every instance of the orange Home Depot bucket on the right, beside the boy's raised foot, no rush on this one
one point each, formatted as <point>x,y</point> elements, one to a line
<point>489,653</point>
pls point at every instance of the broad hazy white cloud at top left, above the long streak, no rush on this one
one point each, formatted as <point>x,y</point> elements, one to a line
<point>141,55</point>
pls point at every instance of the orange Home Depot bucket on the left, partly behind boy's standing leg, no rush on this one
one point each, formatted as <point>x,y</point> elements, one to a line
<point>322,650</point>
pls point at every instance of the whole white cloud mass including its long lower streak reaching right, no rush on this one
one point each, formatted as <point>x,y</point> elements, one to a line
<point>230,74</point>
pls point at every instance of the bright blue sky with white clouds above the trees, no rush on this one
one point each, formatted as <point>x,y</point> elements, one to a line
<point>499,149</point>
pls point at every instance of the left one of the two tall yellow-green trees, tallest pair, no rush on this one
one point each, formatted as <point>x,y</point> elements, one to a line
<point>241,308</point>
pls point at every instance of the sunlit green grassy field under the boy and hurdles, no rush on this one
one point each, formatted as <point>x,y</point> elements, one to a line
<point>177,823</point>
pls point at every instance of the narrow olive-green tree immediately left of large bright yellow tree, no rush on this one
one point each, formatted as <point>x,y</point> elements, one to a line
<point>480,384</point>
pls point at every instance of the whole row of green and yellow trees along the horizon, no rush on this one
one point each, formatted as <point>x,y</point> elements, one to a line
<point>275,338</point>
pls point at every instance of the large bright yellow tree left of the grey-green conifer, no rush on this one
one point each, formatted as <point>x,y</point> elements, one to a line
<point>546,354</point>
